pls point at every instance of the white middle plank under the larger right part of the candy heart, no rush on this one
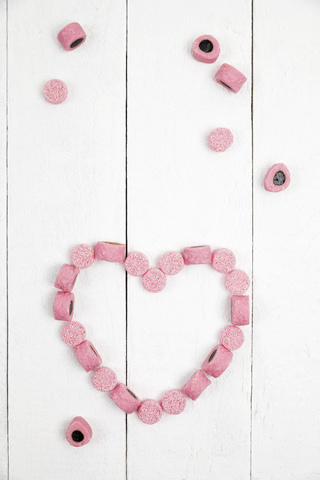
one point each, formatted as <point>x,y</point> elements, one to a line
<point>181,193</point>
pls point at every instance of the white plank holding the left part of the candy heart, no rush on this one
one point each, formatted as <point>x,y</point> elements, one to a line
<point>66,186</point>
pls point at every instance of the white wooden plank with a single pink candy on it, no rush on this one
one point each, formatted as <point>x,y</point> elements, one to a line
<point>286,363</point>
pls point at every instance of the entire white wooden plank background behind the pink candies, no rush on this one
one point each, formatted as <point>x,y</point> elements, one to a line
<point>125,158</point>
